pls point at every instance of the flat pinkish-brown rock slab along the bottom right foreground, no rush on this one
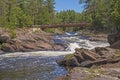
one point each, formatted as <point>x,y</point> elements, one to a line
<point>79,73</point>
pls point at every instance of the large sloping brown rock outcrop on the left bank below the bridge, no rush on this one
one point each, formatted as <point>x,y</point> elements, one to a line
<point>31,41</point>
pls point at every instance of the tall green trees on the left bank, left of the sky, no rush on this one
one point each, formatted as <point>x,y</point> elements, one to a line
<point>24,13</point>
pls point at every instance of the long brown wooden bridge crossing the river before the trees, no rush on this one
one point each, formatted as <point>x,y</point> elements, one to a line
<point>77,24</point>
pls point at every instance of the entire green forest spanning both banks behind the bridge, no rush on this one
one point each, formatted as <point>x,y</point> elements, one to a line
<point>103,14</point>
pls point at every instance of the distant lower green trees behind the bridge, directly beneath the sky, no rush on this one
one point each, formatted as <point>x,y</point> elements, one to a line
<point>68,16</point>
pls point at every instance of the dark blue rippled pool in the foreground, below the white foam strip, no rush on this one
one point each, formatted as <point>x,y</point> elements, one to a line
<point>30,68</point>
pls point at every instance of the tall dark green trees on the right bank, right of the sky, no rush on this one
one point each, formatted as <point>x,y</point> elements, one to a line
<point>104,14</point>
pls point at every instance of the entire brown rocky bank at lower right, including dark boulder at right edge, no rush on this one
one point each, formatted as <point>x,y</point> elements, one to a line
<point>100,63</point>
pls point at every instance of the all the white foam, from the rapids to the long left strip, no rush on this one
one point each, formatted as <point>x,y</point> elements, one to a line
<point>72,41</point>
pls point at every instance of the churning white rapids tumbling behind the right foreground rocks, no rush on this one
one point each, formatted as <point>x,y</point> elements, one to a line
<point>85,44</point>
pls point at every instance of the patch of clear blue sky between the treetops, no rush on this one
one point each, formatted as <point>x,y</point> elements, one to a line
<point>68,4</point>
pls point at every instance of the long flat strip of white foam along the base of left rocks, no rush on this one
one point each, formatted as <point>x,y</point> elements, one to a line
<point>37,53</point>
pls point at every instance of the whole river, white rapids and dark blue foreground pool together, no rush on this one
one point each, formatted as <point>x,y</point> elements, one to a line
<point>41,65</point>
